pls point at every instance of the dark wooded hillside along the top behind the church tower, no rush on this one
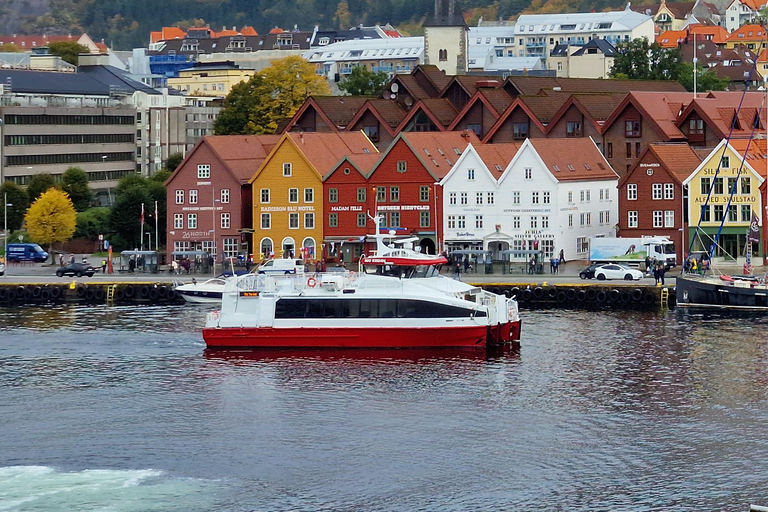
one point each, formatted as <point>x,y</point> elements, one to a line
<point>126,24</point>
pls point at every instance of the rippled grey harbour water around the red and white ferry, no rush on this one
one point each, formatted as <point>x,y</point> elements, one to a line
<point>121,409</point>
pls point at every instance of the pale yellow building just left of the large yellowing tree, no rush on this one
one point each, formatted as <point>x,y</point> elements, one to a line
<point>210,79</point>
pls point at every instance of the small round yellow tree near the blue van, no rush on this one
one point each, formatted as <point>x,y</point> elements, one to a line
<point>52,218</point>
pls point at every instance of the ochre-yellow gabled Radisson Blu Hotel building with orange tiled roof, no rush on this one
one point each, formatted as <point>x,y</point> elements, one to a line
<point>288,195</point>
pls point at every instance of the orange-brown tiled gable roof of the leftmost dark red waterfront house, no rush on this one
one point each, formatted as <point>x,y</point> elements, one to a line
<point>242,155</point>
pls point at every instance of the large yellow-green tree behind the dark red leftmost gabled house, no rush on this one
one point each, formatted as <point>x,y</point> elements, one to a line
<point>256,106</point>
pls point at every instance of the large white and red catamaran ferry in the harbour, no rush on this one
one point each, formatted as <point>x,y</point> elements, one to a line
<point>397,300</point>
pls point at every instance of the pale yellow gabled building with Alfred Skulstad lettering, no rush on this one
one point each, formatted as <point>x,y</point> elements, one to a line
<point>725,191</point>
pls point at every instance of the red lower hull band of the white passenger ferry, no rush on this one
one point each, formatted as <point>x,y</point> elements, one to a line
<point>353,337</point>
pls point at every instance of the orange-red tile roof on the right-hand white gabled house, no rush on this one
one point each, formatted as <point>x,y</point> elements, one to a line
<point>573,159</point>
